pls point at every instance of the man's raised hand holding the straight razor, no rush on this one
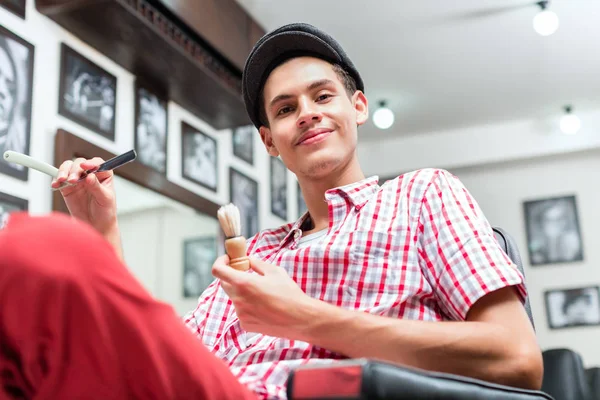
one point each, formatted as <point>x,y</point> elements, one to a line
<point>92,200</point>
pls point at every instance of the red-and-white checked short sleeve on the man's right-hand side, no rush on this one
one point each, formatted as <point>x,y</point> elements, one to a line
<point>458,251</point>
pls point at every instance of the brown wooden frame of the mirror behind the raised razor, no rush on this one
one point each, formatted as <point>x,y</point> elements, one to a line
<point>68,146</point>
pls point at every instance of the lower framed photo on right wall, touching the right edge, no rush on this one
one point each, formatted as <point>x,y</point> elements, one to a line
<point>573,307</point>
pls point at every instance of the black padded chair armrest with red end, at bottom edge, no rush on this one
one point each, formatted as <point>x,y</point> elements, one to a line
<point>365,379</point>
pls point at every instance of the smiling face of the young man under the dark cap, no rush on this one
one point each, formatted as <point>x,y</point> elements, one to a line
<point>312,118</point>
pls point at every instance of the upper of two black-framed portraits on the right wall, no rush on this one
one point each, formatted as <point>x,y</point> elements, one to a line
<point>553,233</point>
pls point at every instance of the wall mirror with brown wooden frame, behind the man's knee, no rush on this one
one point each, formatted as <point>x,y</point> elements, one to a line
<point>170,236</point>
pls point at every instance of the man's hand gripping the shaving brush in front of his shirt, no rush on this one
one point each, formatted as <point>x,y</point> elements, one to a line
<point>268,301</point>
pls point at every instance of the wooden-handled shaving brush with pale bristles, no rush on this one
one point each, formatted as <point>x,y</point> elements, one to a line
<point>235,243</point>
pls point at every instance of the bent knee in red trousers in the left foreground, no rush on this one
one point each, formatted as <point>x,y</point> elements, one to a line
<point>75,324</point>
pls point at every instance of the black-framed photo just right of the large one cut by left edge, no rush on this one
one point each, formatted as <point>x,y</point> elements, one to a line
<point>88,93</point>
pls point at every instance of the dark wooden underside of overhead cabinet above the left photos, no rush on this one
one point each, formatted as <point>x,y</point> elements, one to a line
<point>156,47</point>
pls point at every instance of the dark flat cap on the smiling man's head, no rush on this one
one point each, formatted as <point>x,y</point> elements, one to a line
<point>278,46</point>
